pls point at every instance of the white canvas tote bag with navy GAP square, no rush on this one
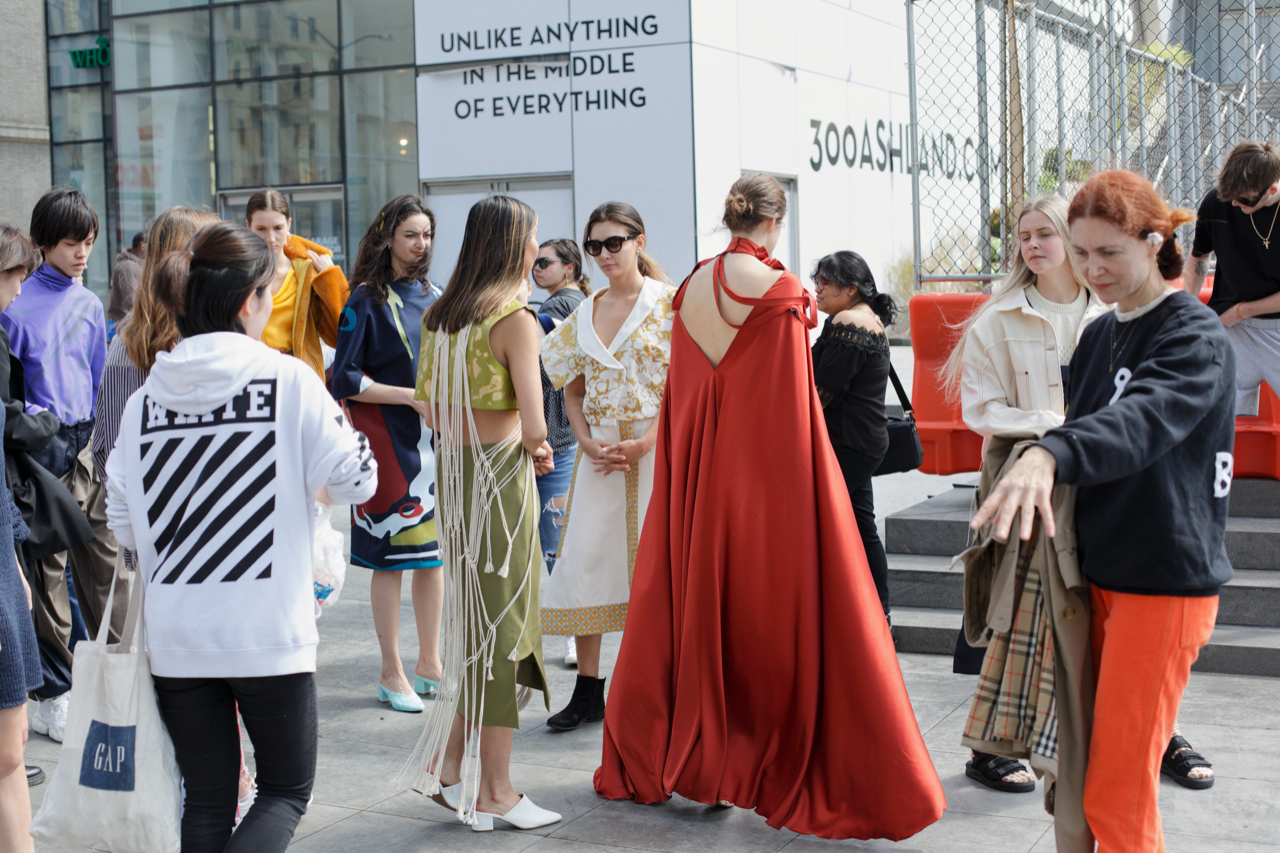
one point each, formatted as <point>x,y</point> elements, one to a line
<point>117,783</point>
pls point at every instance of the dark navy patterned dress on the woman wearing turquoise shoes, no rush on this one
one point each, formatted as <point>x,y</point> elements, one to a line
<point>395,531</point>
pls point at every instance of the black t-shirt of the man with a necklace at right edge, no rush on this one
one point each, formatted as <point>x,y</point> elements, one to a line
<point>1246,270</point>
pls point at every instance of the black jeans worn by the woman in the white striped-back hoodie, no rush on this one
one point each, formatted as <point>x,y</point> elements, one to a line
<point>280,714</point>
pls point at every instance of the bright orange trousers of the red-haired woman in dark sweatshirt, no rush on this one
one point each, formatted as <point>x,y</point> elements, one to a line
<point>1144,650</point>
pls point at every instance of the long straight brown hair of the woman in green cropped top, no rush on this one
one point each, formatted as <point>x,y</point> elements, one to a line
<point>491,264</point>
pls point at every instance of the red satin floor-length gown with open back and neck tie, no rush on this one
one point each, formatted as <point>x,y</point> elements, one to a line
<point>757,667</point>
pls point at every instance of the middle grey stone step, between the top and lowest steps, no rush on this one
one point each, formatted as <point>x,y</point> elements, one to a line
<point>1252,599</point>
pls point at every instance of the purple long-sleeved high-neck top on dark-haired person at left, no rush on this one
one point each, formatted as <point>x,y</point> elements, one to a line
<point>58,331</point>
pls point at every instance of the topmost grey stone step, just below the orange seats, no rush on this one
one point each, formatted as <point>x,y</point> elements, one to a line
<point>940,527</point>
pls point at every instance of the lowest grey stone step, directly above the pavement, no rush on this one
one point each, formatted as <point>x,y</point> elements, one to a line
<point>1232,650</point>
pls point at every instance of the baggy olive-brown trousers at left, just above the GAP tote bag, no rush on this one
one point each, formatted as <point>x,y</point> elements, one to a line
<point>93,569</point>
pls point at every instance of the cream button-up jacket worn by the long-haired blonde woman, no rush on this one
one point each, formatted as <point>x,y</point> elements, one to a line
<point>1011,380</point>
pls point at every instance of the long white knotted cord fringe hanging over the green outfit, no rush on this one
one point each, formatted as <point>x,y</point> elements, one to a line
<point>463,530</point>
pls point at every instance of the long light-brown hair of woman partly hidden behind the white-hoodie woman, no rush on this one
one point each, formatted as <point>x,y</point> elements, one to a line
<point>152,327</point>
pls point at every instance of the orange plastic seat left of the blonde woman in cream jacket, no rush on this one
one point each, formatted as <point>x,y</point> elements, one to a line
<point>950,448</point>
